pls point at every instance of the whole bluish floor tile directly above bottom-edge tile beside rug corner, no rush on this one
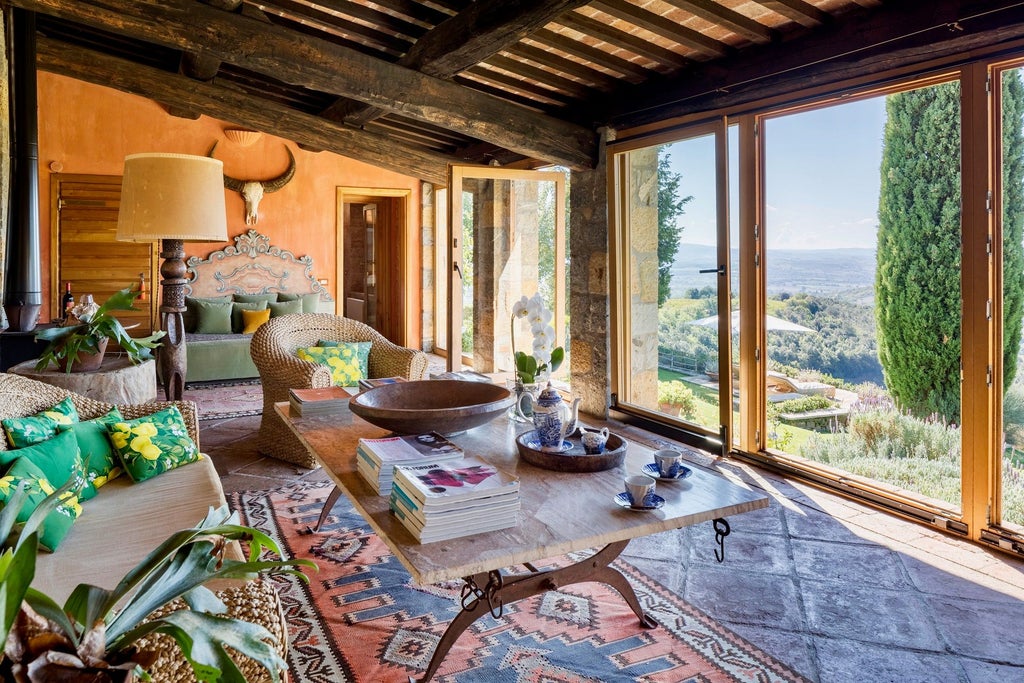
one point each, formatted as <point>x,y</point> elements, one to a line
<point>900,619</point>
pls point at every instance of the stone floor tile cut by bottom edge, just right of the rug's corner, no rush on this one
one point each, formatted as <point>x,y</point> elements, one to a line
<point>843,661</point>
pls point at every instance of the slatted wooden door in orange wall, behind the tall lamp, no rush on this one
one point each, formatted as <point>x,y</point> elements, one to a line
<point>84,249</point>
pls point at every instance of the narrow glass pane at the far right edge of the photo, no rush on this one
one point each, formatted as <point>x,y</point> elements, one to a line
<point>1012,158</point>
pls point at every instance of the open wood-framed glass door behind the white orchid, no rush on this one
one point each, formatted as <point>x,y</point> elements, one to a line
<point>507,241</point>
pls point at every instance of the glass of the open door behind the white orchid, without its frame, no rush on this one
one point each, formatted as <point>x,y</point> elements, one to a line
<point>509,240</point>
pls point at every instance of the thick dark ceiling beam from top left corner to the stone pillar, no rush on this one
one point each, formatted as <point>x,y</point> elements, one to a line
<point>321,65</point>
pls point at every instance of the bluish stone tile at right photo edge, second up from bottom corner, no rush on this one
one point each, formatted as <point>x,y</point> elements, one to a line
<point>983,630</point>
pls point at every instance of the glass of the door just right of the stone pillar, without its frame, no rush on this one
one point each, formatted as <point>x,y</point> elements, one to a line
<point>674,360</point>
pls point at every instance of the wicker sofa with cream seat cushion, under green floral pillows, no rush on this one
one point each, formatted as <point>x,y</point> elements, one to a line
<point>125,522</point>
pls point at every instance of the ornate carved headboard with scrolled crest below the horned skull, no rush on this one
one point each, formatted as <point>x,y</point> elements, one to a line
<point>253,267</point>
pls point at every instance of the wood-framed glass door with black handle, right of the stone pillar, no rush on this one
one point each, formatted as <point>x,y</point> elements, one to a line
<point>679,322</point>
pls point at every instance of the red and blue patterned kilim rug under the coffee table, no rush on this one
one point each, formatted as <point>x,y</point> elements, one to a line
<point>361,620</point>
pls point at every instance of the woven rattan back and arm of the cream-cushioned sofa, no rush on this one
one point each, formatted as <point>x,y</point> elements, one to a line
<point>254,602</point>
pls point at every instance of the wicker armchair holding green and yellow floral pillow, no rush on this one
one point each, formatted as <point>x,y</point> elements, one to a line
<point>274,351</point>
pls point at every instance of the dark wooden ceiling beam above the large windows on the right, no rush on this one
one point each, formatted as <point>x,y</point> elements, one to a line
<point>868,42</point>
